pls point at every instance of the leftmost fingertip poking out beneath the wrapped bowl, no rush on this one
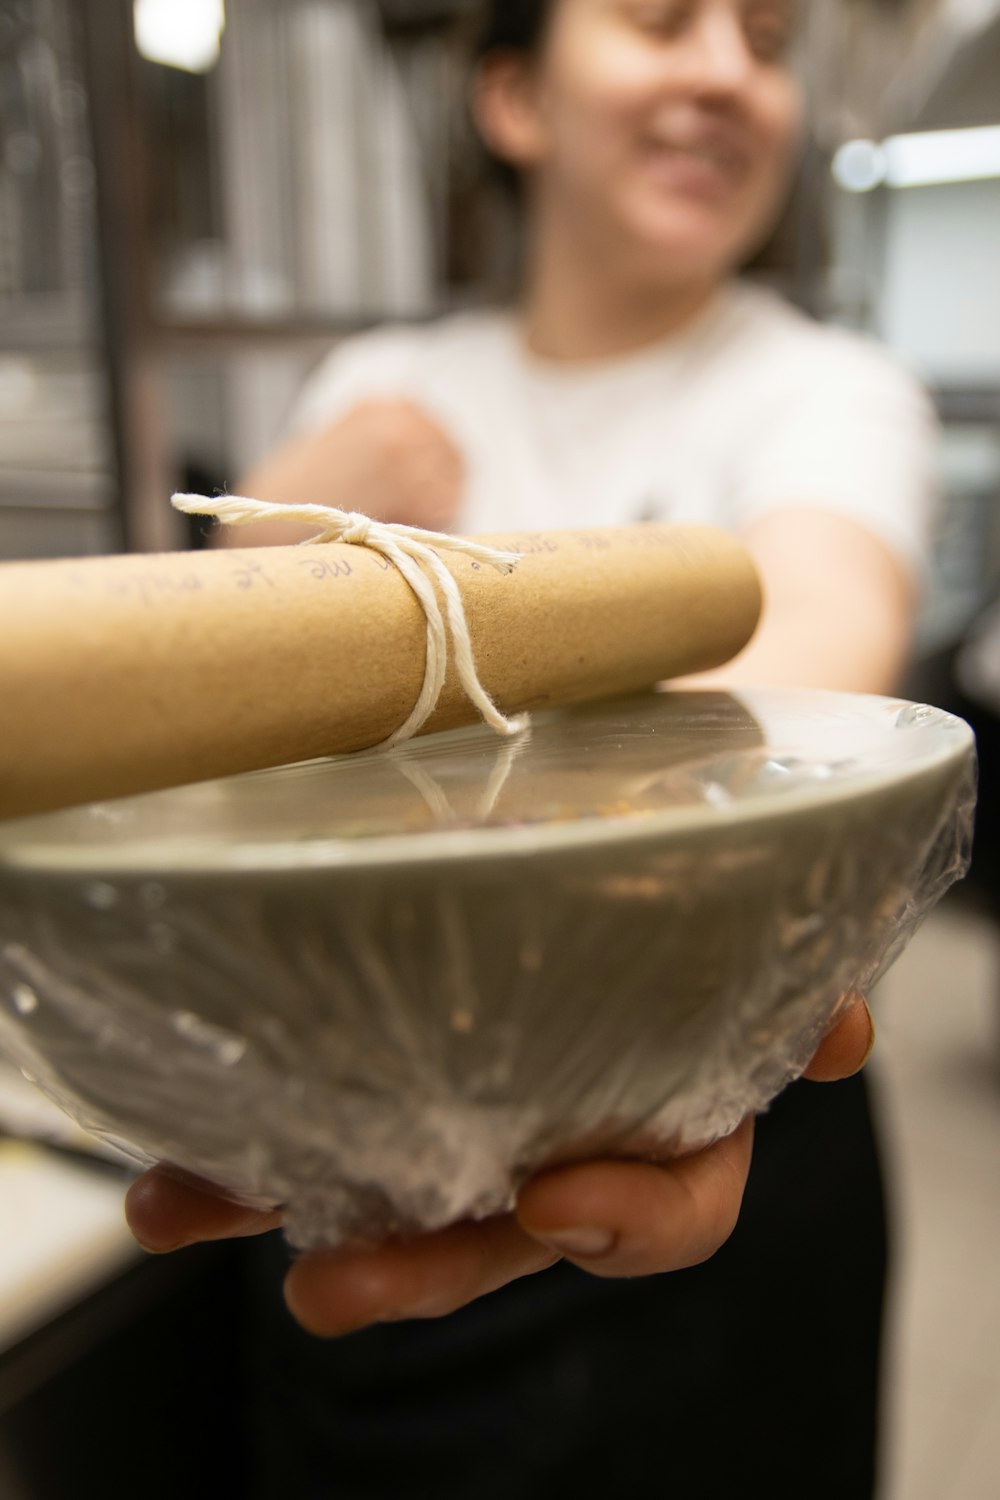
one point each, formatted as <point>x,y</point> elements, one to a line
<point>167,1213</point>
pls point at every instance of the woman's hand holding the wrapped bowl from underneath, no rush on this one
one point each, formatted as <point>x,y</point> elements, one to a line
<point>614,1219</point>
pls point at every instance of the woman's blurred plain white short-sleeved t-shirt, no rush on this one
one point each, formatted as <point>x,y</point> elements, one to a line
<point>750,409</point>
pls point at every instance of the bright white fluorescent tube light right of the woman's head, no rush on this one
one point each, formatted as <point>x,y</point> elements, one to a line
<point>924,160</point>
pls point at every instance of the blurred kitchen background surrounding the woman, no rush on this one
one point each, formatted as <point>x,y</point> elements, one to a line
<point>196,202</point>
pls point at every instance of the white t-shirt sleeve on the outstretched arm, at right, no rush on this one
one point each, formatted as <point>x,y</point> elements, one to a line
<point>855,434</point>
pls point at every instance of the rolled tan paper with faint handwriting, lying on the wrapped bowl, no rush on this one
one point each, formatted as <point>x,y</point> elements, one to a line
<point>130,674</point>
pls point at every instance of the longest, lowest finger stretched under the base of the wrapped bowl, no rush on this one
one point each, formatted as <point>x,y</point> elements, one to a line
<point>344,1291</point>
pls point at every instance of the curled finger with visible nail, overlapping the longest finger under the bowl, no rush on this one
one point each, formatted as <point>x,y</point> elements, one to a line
<point>624,1219</point>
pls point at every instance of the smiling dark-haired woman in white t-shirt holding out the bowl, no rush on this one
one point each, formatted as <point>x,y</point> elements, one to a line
<point>654,142</point>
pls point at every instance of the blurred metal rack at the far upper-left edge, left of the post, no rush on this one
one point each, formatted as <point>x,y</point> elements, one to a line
<point>56,481</point>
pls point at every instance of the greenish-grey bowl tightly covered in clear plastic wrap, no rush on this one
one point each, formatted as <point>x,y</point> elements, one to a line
<point>385,989</point>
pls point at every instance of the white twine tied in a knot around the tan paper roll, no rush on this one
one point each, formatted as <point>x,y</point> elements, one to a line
<point>415,554</point>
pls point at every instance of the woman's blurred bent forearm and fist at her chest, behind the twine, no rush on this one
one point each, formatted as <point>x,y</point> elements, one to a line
<point>388,460</point>
